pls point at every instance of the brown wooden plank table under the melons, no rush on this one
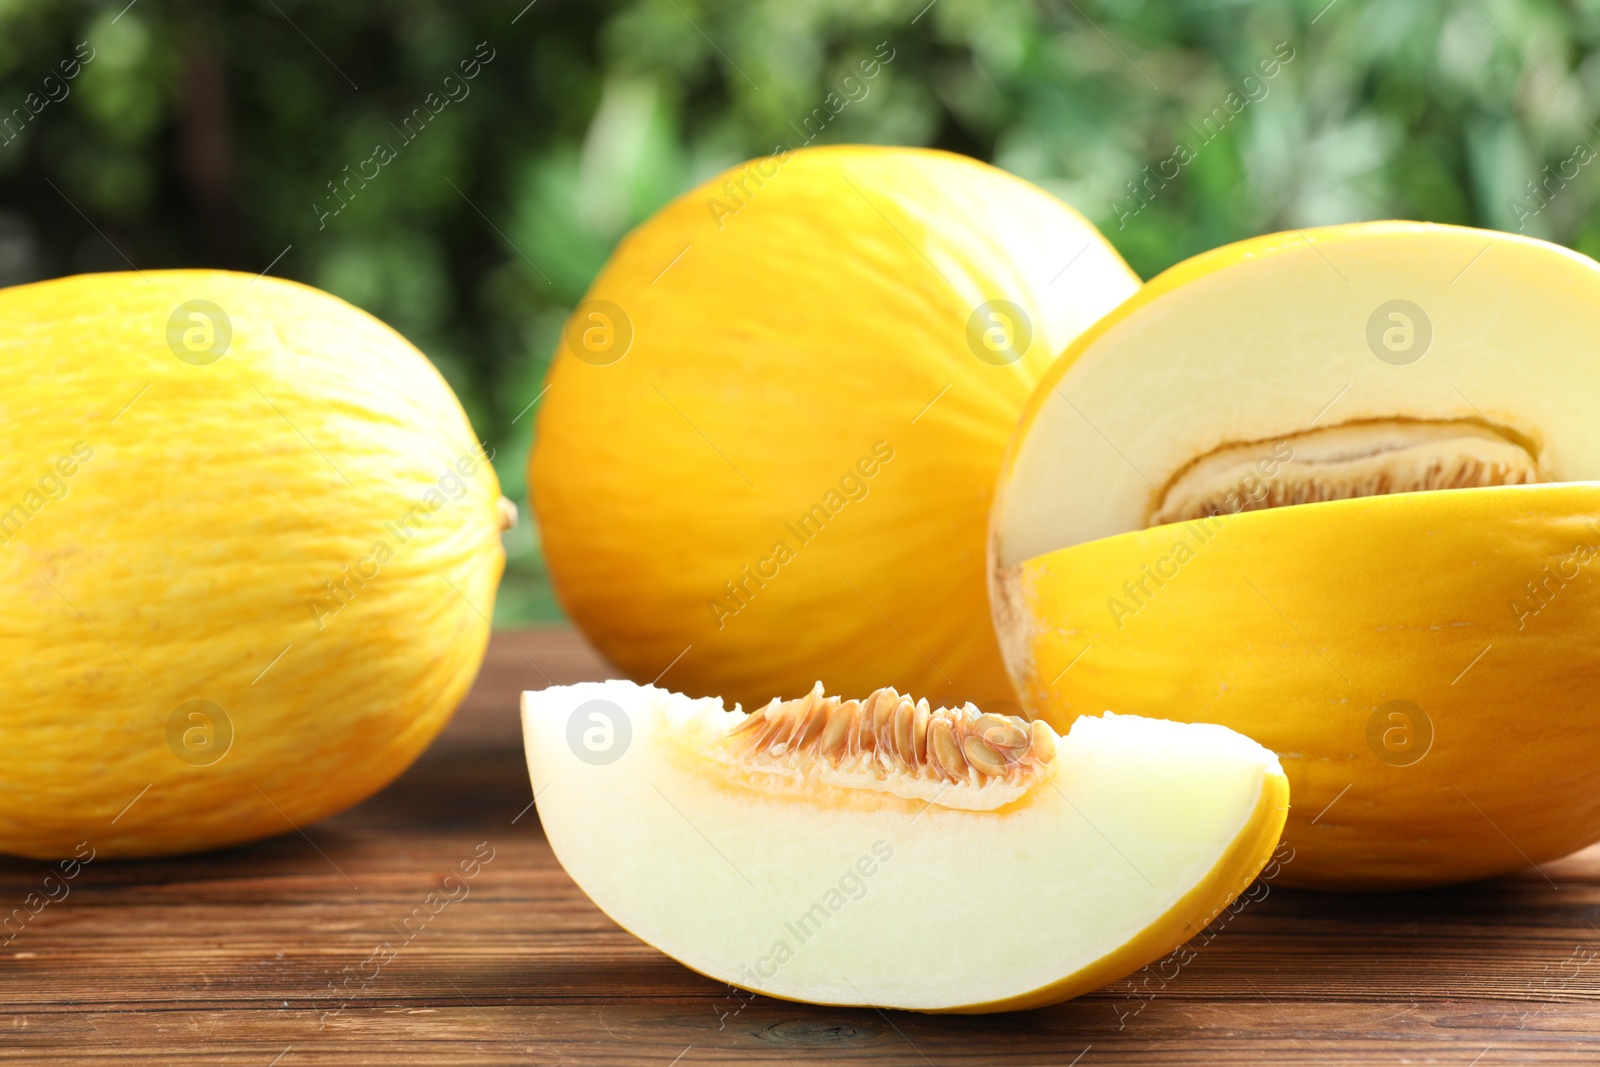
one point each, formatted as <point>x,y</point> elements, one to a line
<point>266,956</point>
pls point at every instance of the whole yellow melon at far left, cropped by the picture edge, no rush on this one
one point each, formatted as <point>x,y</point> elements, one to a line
<point>169,529</point>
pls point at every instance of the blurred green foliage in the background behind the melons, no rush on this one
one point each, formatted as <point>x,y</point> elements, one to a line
<point>214,135</point>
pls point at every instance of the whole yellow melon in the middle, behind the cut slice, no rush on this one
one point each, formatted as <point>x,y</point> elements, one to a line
<point>798,338</point>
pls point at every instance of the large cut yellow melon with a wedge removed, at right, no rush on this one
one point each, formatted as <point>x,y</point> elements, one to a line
<point>1338,492</point>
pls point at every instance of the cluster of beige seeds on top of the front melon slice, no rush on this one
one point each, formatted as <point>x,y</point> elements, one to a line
<point>900,737</point>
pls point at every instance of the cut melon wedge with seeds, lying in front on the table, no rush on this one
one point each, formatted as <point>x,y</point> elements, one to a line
<point>825,853</point>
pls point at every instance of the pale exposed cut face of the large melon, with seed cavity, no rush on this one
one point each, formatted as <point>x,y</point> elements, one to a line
<point>1356,354</point>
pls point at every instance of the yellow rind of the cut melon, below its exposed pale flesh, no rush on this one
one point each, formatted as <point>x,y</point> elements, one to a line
<point>1513,737</point>
